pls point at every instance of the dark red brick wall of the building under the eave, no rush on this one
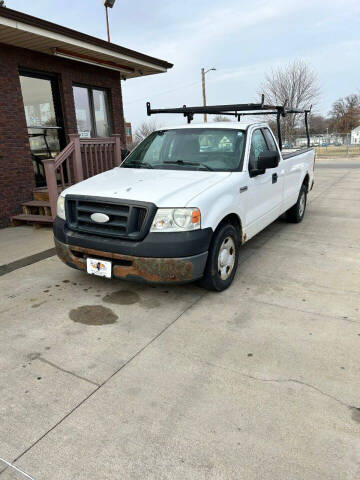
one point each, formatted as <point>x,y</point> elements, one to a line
<point>16,170</point>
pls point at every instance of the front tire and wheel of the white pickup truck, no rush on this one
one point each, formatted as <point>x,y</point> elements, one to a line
<point>225,238</point>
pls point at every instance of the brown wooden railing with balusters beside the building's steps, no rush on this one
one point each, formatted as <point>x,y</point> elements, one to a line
<point>82,158</point>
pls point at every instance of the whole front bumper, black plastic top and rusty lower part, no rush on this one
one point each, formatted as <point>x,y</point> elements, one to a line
<point>158,258</point>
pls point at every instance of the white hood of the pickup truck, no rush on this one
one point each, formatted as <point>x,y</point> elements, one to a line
<point>164,188</point>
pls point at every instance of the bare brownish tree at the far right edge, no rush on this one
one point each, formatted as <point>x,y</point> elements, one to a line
<point>345,114</point>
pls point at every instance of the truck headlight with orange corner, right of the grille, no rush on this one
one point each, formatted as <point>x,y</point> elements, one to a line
<point>176,220</point>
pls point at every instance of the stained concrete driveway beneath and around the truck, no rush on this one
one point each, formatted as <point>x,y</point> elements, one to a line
<point>108,380</point>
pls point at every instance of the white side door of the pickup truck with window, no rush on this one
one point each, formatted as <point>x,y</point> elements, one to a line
<point>263,196</point>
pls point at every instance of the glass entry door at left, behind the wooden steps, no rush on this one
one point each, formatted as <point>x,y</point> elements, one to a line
<point>43,119</point>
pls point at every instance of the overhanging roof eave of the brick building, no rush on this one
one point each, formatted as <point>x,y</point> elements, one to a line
<point>25,31</point>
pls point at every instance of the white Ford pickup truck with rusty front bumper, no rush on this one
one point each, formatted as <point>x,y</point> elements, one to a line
<point>182,203</point>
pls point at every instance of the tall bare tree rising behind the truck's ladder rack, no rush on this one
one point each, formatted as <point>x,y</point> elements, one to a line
<point>296,85</point>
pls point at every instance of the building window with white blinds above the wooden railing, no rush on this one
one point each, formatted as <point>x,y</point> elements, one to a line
<point>92,111</point>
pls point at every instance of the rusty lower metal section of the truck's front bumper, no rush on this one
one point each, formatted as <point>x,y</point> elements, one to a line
<point>126,267</point>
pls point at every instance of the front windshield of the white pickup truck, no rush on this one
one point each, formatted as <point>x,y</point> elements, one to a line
<point>189,149</point>
